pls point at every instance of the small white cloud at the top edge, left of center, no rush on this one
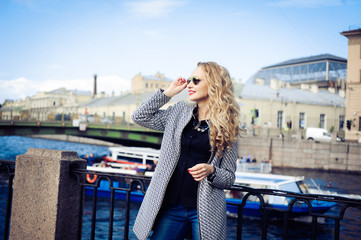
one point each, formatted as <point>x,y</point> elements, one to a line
<point>154,8</point>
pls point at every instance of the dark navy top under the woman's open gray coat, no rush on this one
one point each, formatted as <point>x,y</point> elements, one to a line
<point>195,149</point>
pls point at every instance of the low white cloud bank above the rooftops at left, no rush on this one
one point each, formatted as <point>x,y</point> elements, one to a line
<point>21,88</point>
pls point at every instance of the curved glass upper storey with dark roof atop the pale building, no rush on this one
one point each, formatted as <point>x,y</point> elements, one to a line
<point>323,70</point>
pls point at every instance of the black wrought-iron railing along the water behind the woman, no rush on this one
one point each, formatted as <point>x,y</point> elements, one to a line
<point>133,186</point>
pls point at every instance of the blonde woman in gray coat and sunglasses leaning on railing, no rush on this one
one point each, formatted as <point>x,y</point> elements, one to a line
<point>197,158</point>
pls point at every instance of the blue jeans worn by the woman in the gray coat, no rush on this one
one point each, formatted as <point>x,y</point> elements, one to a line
<point>175,223</point>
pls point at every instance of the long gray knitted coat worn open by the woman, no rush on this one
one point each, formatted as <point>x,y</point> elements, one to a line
<point>211,201</point>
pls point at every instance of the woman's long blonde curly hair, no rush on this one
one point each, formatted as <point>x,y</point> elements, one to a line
<point>223,109</point>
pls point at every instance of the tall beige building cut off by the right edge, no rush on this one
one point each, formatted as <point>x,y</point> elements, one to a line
<point>353,90</point>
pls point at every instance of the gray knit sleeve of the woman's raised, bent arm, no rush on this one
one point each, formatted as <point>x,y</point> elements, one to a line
<point>148,114</point>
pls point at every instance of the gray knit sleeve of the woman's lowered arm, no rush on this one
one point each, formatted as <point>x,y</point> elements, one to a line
<point>225,172</point>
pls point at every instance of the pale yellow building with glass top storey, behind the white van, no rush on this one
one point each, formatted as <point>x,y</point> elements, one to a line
<point>286,98</point>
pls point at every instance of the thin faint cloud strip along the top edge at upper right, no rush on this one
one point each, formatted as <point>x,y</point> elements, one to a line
<point>308,3</point>
